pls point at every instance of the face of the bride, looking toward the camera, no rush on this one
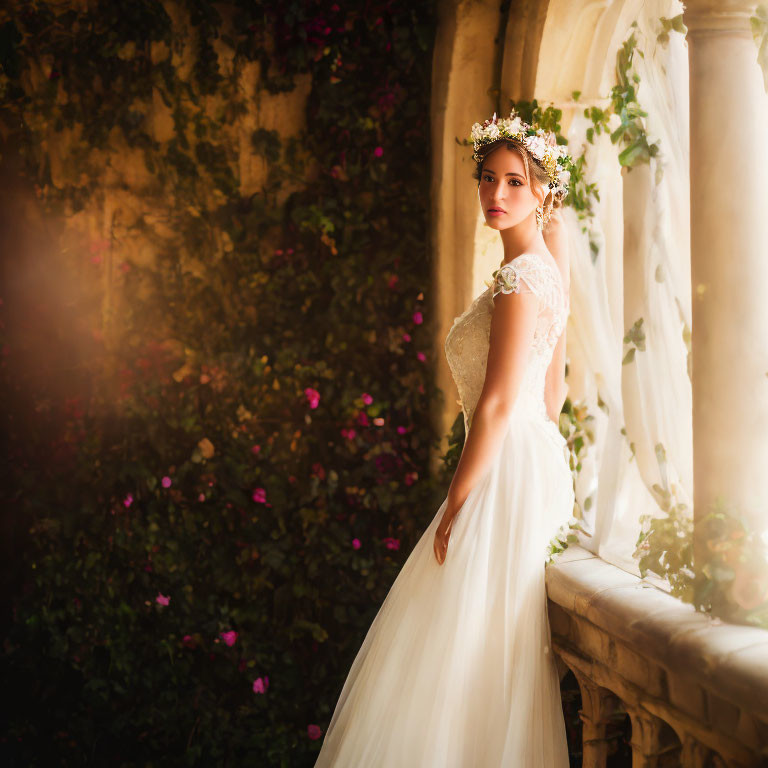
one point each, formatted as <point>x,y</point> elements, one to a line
<point>505,196</point>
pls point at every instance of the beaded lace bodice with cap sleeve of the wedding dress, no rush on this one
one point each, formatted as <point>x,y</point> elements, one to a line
<point>467,342</point>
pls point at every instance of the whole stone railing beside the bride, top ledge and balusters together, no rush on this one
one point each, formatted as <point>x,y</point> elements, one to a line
<point>695,688</point>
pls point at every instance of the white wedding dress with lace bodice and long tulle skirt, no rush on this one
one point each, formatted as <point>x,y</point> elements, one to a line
<point>456,669</point>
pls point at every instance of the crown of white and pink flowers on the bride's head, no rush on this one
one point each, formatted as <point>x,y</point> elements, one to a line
<point>541,144</point>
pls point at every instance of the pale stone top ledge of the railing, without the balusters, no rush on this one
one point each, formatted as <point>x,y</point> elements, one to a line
<point>698,674</point>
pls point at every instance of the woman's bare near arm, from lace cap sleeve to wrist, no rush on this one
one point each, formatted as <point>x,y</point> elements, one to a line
<point>513,323</point>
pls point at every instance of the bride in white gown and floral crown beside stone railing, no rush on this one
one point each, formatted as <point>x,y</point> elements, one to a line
<point>456,670</point>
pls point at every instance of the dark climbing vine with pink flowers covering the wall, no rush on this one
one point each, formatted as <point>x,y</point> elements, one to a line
<point>214,496</point>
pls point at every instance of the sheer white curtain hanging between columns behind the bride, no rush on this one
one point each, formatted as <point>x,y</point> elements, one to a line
<point>641,270</point>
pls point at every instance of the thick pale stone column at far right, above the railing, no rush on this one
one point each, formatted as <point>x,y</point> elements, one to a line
<point>729,259</point>
